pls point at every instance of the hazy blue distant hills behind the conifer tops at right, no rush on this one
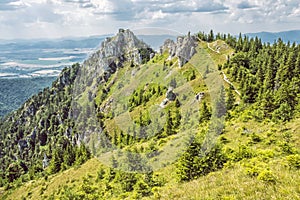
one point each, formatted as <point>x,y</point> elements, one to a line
<point>292,36</point>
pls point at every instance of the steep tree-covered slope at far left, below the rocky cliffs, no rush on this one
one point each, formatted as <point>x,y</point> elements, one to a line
<point>45,136</point>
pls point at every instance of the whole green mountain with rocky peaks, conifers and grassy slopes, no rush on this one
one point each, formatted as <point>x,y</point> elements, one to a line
<point>189,122</point>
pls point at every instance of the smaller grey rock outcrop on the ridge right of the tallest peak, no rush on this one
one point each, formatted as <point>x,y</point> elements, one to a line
<point>183,49</point>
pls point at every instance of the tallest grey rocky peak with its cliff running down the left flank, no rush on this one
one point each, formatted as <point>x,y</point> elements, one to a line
<point>113,54</point>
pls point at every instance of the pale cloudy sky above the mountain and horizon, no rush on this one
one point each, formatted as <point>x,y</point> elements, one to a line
<point>61,18</point>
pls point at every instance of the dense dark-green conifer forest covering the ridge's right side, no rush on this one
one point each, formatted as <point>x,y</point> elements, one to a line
<point>268,77</point>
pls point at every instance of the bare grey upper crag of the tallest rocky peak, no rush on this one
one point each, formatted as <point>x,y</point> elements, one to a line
<point>114,51</point>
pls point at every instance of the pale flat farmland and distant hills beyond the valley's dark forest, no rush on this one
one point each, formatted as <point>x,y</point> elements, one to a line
<point>36,58</point>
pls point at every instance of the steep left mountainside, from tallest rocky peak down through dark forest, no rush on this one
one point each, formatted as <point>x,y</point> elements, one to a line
<point>49,126</point>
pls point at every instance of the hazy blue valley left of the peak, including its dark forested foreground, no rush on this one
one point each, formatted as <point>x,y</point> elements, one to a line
<point>28,66</point>
